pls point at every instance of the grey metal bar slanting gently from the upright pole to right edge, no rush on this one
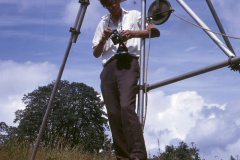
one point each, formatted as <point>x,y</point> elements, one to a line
<point>194,73</point>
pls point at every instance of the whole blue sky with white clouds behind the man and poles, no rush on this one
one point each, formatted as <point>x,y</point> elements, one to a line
<point>204,109</point>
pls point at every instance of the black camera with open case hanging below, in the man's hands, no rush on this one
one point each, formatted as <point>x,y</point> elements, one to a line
<point>117,39</point>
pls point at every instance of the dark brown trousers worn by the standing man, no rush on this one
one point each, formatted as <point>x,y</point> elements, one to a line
<point>119,86</point>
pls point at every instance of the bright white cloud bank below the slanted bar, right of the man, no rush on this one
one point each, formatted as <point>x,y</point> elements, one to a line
<point>185,116</point>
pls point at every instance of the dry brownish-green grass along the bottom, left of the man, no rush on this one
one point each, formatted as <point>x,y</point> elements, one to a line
<point>15,150</point>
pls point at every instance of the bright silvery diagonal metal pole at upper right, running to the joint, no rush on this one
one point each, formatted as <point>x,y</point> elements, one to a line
<point>210,34</point>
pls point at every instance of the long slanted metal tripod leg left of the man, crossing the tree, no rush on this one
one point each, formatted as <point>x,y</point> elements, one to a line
<point>73,38</point>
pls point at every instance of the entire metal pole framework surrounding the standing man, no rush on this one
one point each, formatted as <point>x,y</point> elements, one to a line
<point>76,31</point>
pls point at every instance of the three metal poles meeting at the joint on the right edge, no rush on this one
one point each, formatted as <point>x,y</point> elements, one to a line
<point>227,50</point>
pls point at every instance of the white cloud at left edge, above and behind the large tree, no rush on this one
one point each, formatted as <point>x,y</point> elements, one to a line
<point>18,79</point>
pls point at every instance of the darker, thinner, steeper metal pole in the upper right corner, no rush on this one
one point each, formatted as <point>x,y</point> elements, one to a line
<point>220,25</point>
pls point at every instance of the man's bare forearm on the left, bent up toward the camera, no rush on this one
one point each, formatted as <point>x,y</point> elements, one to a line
<point>97,51</point>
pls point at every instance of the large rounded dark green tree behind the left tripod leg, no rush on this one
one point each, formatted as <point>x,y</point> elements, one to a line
<point>76,116</point>
